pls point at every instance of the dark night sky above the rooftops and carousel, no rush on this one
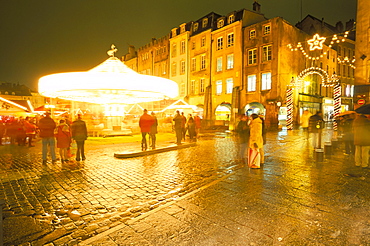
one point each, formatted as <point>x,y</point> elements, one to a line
<point>40,37</point>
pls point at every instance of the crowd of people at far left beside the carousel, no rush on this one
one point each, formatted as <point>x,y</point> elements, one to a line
<point>23,131</point>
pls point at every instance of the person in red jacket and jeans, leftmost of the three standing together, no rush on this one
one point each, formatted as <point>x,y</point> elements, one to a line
<point>47,126</point>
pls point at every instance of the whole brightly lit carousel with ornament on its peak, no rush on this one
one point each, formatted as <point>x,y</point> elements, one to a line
<point>110,86</point>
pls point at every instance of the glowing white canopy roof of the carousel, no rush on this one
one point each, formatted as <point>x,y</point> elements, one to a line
<point>110,82</point>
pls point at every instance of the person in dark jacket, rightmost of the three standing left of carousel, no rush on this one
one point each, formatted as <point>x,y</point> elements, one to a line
<point>79,134</point>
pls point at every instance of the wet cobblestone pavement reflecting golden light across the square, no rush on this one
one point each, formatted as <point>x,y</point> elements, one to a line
<point>194,196</point>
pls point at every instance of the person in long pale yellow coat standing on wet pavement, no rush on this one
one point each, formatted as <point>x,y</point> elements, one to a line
<point>256,138</point>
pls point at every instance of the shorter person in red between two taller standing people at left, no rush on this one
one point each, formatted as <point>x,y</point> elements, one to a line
<point>63,136</point>
